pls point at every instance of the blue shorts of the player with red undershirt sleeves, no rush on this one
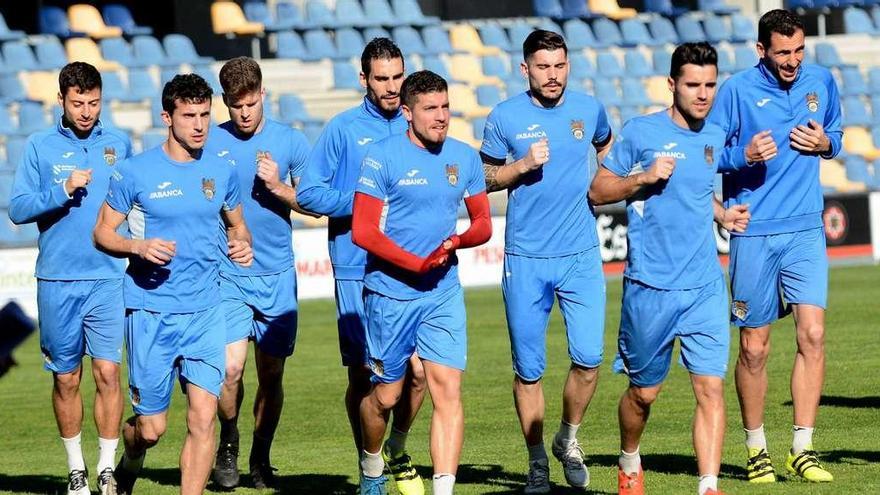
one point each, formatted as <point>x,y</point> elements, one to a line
<point>434,326</point>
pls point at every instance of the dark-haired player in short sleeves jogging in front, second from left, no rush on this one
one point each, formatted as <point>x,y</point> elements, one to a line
<point>173,197</point>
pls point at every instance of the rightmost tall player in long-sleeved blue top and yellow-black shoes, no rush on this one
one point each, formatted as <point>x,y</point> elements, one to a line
<point>781,117</point>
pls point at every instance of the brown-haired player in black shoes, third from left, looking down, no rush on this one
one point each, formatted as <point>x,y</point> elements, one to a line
<point>259,302</point>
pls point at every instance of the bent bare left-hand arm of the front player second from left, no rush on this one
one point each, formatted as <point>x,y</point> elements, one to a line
<point>106,238</point>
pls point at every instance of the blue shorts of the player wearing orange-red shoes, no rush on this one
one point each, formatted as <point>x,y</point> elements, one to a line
<point>652,318</point>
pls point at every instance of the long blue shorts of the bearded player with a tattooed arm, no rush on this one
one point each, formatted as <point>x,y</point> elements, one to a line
<point>529,286</point>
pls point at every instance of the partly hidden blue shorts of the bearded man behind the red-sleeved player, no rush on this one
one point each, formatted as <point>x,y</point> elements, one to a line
<point>351,322</point>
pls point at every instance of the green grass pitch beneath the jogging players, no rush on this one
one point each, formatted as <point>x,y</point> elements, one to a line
<point>314,453</point>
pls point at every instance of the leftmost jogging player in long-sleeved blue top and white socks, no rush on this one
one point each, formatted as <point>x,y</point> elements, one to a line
<point>60,185</point>
